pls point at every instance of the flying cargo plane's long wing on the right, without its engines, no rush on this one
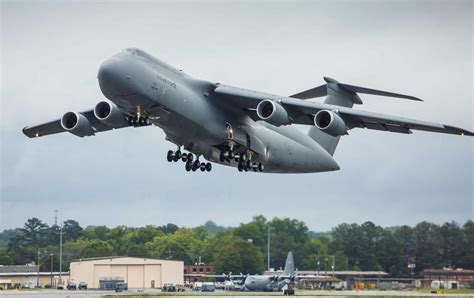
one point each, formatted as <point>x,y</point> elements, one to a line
<point>303,111</point>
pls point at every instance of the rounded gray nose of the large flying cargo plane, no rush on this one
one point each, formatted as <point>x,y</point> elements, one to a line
<point>115,78</point>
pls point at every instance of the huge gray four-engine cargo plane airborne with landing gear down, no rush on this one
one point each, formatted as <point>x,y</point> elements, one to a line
<point>242,128</point>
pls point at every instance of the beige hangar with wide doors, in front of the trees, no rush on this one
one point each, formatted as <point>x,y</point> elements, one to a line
<point>138,273</point>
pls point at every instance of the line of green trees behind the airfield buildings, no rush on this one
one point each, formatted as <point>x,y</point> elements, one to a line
<point>399,251</point>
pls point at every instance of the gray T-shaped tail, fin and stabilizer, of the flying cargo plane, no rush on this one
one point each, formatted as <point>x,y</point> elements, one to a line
<point>343,95</point>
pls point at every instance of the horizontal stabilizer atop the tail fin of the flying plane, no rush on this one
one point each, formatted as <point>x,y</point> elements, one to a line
<point>321,91</point>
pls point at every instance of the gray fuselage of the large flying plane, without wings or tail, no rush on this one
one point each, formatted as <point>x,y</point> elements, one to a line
<point>189,114</point>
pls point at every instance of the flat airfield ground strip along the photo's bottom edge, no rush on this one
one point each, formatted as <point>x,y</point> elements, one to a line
<point>150,293</point>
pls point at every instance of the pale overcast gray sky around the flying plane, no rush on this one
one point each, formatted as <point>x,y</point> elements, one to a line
<point>51,52</point>
